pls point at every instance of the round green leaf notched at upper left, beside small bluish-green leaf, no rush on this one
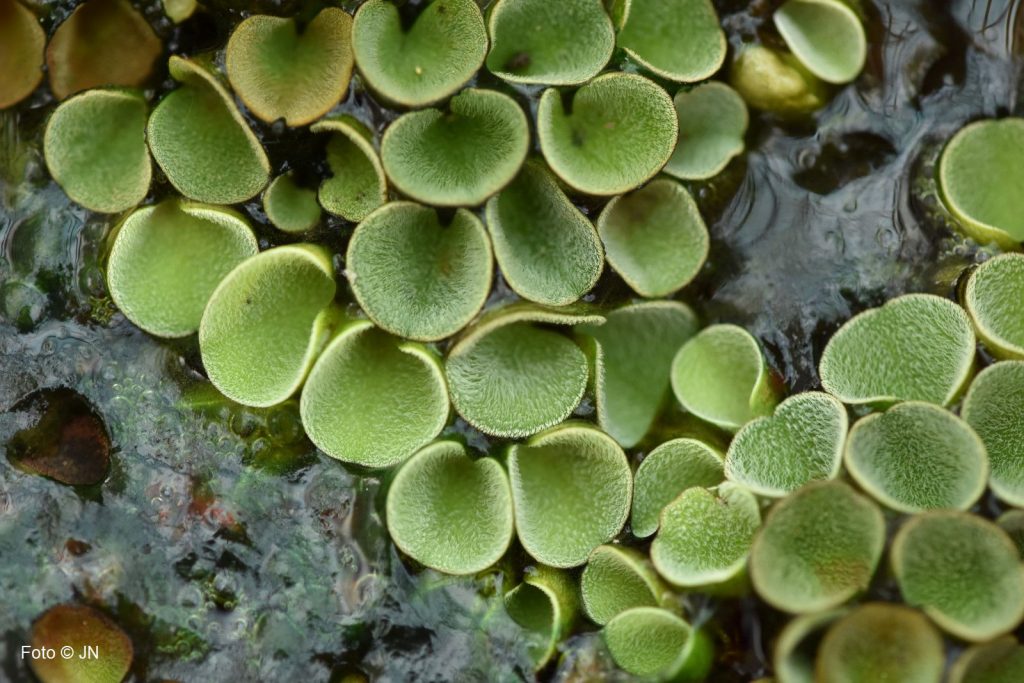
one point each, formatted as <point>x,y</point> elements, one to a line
<point>619,133</point>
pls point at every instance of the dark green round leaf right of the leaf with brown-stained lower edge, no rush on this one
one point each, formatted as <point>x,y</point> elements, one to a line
<point>963,571</point>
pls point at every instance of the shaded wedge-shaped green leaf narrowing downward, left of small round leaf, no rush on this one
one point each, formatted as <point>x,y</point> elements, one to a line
<point>632,360</point>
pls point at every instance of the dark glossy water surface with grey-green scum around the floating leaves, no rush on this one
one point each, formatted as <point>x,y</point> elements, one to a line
<point>231,550</point>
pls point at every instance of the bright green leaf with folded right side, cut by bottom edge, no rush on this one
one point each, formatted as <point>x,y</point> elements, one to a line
<point>654,643</point>
